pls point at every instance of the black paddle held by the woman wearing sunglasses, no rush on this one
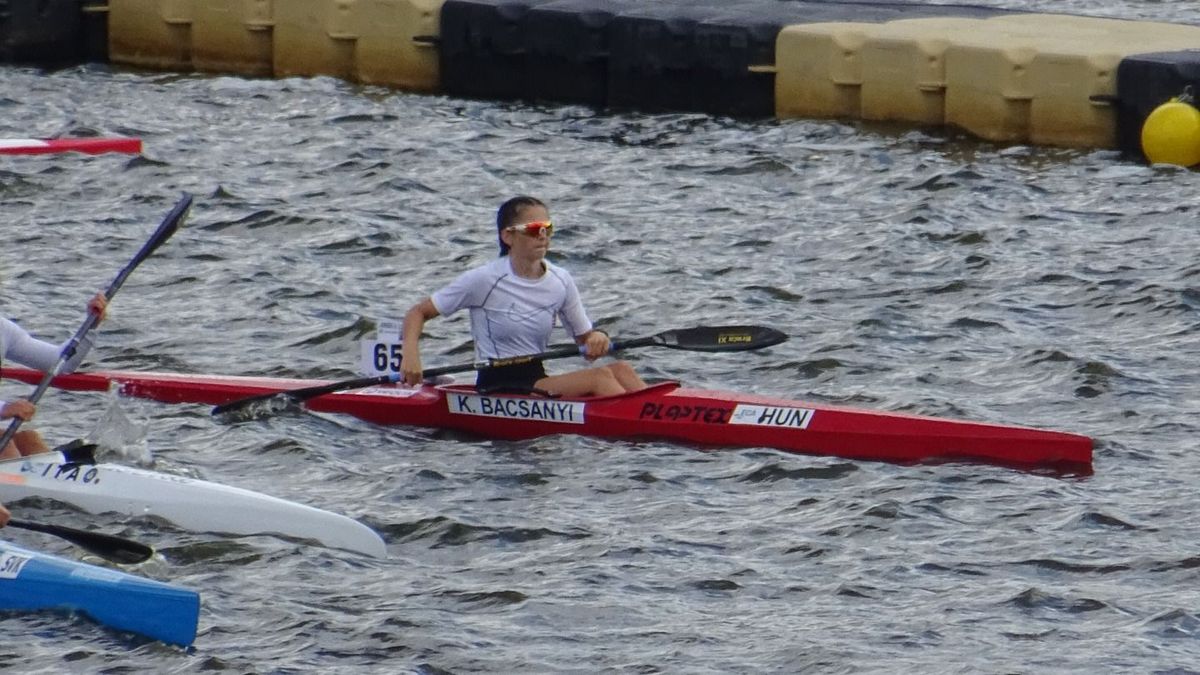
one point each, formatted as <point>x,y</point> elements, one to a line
<point>704,339</point>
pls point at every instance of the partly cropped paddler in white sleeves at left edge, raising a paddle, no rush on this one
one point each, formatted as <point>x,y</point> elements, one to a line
<point>17,345</point>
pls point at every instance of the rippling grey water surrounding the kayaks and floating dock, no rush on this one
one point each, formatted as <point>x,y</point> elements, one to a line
<point>914,271</point>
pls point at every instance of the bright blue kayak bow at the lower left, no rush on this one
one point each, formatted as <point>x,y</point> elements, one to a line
<point>32,581</point>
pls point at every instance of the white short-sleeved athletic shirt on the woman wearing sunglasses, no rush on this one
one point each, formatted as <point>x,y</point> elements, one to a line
<point>512,316</point>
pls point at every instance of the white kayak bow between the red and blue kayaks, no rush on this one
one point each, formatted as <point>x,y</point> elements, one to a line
<point>189,504</point>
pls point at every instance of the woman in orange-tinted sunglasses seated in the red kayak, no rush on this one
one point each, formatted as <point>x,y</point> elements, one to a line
<point>514,303</point>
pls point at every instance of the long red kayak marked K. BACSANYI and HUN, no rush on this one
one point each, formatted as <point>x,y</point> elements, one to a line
<point>663,411</point>
